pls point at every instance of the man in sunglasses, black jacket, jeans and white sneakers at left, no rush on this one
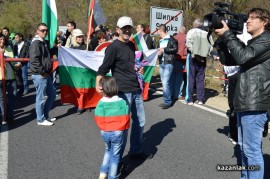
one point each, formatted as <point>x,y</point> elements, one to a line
<point>41,65</point>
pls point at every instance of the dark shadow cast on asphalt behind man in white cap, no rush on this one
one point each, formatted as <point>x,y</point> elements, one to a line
<point>152,138</point>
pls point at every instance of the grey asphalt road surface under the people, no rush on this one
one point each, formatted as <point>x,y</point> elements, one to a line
<point>187,142</point>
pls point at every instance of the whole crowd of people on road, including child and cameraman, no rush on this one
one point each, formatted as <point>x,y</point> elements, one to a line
<point>184,53</point>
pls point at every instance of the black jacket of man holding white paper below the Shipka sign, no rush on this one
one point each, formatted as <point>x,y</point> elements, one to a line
<point>169,52</point>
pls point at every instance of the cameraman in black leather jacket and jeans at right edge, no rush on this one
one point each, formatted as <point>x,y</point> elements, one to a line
<point>252,96</point>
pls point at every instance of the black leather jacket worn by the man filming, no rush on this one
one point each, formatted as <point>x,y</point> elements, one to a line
<point>253,87</point>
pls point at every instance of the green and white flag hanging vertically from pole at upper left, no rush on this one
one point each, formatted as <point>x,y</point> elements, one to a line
<point>49,17</point>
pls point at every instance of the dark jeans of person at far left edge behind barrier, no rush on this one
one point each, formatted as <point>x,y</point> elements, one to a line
<point>11,88</point>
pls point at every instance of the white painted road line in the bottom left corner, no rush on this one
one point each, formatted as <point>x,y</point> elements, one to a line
<point>4,152</point>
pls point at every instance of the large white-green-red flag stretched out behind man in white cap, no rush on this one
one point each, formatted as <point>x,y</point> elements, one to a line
<point>77,73</point>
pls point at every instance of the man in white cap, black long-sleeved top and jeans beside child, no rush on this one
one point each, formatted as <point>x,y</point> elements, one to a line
<point>120,59</point>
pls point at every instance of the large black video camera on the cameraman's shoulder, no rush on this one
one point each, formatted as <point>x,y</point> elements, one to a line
<point>221,12</point>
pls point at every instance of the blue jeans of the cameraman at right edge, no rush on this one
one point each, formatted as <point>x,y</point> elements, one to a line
<point>250,127</point>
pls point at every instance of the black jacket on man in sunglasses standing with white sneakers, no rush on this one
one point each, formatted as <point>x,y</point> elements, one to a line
<point>40,59</point>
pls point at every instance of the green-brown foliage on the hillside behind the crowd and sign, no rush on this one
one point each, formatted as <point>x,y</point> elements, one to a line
<point>24,15</point>
